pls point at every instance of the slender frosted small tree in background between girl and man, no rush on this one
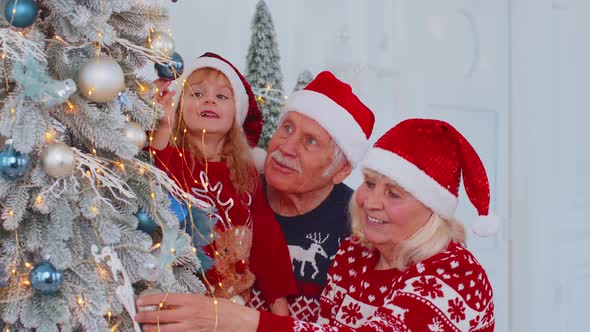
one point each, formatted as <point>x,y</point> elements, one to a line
<point>264,70</point>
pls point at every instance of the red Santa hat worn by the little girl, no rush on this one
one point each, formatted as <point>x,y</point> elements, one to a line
<point>248,115</point>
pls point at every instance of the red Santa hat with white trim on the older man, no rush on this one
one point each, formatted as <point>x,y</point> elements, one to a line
<point>332,104</point>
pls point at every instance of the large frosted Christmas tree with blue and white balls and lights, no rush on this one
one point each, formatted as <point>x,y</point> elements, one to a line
<point>82,216</point>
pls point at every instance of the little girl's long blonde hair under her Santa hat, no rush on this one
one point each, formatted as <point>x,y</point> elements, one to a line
<point>236,151</point>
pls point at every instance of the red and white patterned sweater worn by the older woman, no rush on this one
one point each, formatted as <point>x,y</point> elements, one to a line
<point>449,291</point>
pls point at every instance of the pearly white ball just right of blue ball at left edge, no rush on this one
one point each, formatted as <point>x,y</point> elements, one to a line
<point>58,160</point>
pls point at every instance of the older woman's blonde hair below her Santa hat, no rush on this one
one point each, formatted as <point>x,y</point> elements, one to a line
<point>429,240</point>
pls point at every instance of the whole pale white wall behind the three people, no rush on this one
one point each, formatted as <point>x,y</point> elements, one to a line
<point>512,75</point>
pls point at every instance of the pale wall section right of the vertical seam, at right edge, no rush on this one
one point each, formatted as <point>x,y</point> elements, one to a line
<point>550,265</point>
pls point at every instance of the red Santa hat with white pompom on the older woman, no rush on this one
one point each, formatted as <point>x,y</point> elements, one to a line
<point>426,158</point>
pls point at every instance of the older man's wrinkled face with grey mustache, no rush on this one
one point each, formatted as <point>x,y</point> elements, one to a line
<point>299,153</point>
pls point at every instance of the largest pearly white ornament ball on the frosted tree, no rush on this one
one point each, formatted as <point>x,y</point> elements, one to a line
<point>101,79</point>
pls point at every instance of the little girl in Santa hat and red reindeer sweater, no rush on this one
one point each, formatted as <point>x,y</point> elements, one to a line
<point>201,143</point>
